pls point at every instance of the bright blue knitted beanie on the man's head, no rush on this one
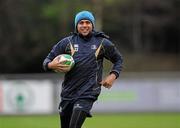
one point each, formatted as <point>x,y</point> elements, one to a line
<point>84,15</point>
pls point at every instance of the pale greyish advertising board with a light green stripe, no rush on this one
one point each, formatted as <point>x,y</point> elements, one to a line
<point>138,95</point>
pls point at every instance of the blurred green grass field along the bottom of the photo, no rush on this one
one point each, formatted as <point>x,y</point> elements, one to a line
<point>124,120</point>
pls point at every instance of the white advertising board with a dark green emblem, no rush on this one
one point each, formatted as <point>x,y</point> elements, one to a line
<point>26,96</point>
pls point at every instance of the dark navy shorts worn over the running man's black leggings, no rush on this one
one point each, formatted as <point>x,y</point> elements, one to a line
<point>67,107</point>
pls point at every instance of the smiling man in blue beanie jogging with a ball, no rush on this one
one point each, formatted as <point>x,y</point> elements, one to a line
<point>82,84</point>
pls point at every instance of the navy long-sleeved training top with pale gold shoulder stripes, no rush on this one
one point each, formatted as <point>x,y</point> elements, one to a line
<point>83,80</point>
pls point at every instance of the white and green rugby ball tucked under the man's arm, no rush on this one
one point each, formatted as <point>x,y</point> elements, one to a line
<point>66,59</point>
